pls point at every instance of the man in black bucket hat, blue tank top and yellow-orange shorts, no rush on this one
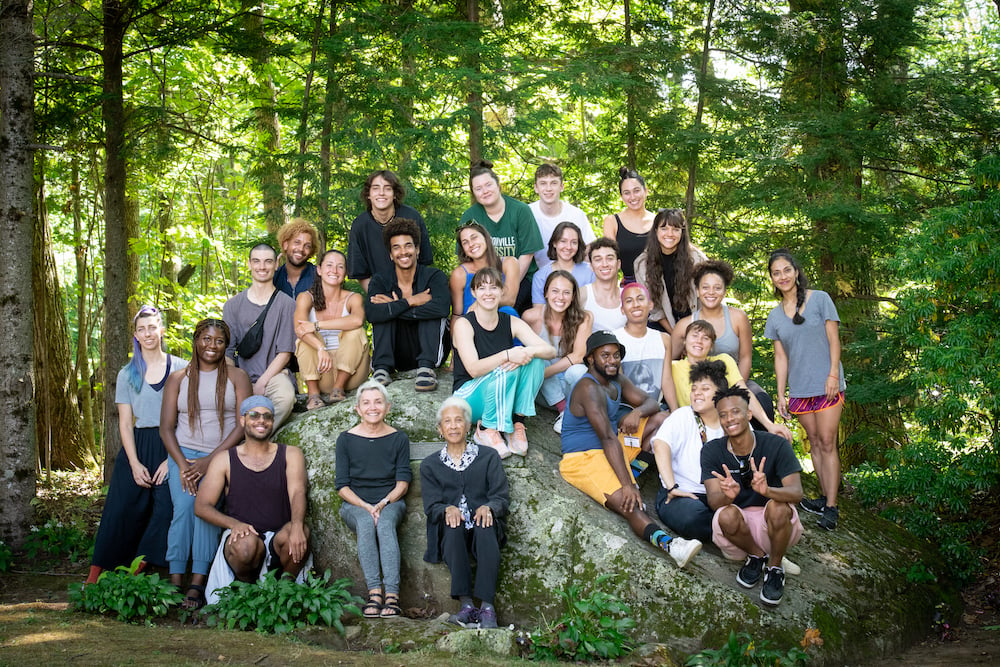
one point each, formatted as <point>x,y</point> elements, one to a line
<point>602,434</point>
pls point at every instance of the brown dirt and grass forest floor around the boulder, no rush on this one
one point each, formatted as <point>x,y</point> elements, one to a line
<point>37,626</point>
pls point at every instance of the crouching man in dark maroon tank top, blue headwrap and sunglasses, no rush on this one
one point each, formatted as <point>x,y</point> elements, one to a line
<point>265,487</point>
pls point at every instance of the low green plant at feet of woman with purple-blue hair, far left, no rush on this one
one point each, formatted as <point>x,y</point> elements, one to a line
<point>129,595</point>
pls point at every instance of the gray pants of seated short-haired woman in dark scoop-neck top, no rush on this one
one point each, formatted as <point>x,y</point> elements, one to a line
<point>377,544</point>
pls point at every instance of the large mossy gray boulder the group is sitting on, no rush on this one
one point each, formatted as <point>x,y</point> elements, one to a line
<point>853,586</point>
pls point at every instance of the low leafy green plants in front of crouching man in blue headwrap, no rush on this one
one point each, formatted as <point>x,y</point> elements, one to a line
<point>280,605</point>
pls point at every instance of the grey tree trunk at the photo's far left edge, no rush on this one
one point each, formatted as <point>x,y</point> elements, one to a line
<point>17,134</point>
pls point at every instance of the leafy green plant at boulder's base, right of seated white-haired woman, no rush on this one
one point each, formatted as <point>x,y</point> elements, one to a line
<point>594,627</point>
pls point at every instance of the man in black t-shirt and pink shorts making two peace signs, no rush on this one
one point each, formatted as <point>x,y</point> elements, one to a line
<point>752,482</point>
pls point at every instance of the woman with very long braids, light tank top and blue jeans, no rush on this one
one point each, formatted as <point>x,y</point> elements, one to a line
<point>198,421</point>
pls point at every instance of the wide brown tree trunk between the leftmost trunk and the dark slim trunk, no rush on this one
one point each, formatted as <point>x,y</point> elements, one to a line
<point>58,423</point>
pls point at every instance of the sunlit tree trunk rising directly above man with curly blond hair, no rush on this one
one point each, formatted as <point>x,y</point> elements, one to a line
<point>272,180</point>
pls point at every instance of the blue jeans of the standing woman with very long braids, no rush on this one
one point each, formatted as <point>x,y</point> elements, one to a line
<point>189,536</point>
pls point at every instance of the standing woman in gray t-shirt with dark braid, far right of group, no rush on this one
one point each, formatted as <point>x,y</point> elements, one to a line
<point>805,331</point>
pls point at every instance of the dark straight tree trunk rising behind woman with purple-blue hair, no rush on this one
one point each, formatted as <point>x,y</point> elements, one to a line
<point>117,284</point>
